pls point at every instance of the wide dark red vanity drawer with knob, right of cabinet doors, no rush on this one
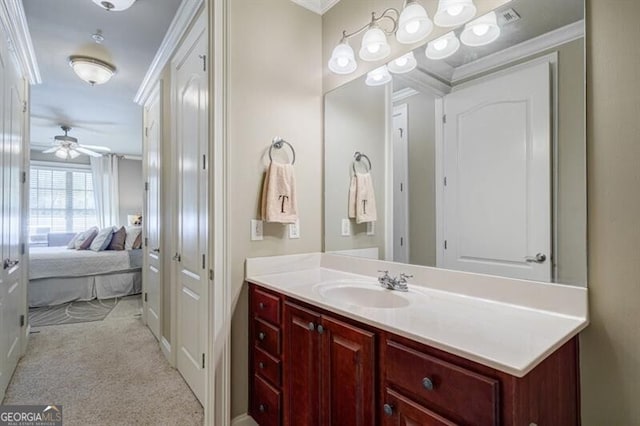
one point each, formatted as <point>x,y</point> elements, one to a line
<point>460,394</point>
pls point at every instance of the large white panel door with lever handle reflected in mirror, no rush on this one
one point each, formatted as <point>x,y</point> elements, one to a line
<point>497,198</point>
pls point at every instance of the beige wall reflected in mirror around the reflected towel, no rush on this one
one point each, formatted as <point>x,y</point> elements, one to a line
<point>356,120</point>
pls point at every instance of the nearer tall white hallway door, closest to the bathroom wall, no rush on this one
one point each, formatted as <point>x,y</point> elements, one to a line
<point>191,89</point>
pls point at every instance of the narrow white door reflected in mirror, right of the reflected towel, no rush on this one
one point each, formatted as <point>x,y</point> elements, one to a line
<point>400,179</point>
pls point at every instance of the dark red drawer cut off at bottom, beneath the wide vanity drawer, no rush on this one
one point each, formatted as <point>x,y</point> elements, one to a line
<point>399,410</point>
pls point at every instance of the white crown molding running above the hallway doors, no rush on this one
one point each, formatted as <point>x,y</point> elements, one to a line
<point>184,16</point>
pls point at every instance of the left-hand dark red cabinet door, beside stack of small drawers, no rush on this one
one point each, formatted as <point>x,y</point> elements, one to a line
<point>301,357</point>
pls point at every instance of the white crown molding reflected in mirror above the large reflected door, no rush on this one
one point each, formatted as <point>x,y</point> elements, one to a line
<point>525,49</point>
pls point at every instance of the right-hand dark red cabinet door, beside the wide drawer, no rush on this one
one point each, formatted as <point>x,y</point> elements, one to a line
<point>348,374</point>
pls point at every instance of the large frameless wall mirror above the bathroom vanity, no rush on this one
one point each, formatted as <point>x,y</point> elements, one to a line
<point>477,161</point>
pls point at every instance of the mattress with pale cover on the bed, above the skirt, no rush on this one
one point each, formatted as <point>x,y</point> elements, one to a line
<point>59,262</point>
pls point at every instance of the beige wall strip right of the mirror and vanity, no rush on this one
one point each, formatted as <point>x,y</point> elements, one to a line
<point>610,346</point>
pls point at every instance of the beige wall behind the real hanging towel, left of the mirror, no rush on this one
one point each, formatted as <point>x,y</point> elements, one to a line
<point>275,89</point>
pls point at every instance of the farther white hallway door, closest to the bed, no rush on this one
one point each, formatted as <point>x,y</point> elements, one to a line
<point>153,264</point>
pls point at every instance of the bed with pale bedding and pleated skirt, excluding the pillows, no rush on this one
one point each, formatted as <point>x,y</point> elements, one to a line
<point>60,275</point>
